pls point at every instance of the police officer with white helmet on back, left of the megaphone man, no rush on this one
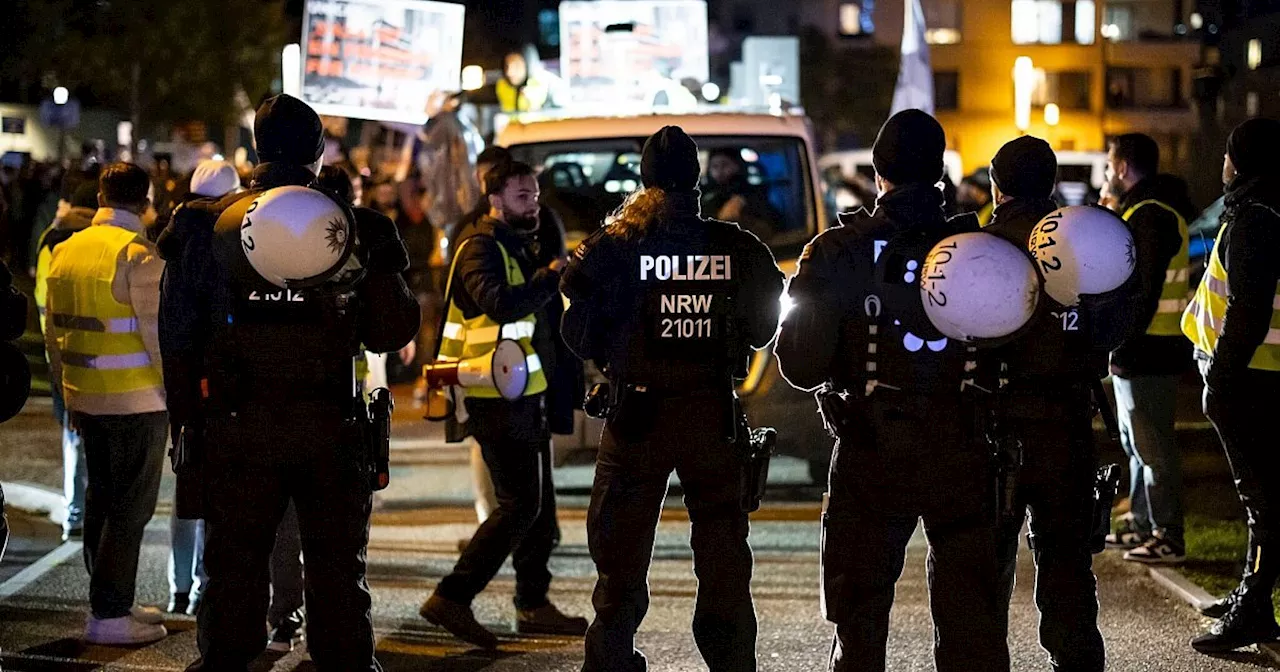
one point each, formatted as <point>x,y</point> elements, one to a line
<point>263,392</point>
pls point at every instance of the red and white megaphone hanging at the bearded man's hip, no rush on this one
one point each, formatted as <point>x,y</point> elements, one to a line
<point>505,371</point>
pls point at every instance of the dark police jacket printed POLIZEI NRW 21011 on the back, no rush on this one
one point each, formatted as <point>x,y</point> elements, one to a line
<point>609,321</point>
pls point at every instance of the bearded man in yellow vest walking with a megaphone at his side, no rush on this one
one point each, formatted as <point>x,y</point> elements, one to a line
<point>496,289</point>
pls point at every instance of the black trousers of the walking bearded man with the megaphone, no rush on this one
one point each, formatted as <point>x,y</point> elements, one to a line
<point>516,447</point>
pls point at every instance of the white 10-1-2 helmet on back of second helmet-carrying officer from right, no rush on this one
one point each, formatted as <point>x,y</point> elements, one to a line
<point>979,287</point>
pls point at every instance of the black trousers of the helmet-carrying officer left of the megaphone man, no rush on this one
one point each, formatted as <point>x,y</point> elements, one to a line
<point>255,467</point>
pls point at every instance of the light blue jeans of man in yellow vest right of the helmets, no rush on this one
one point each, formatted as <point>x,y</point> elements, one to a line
<point>1146,409</point>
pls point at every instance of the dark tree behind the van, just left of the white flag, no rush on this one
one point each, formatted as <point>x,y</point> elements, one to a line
<point>847,90</point>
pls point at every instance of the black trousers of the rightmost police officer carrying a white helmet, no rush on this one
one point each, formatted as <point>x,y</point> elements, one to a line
<point>1057,486</point>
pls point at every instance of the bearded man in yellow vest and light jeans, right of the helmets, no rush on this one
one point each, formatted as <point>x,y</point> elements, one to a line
<point>1148,367</point>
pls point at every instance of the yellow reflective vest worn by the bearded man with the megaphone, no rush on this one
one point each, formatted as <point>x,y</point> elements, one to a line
<point>464,340</point>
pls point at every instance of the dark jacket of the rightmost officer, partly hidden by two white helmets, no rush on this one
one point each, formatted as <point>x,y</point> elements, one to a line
<point>1046,358</point>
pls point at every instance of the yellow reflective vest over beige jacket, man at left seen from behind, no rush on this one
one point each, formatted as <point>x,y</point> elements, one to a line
<point>99,339</point>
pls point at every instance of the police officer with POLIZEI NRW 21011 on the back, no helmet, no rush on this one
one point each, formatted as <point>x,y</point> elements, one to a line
<point>670,305</point>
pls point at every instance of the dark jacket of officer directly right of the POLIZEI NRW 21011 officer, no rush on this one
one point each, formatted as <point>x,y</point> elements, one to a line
<point>824,337</point>
